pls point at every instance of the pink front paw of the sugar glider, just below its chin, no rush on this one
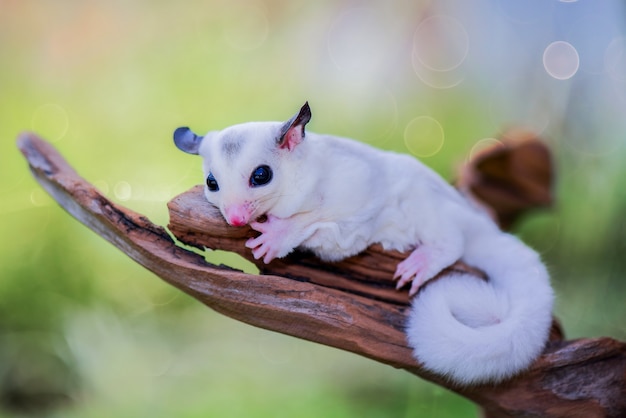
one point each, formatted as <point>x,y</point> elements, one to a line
<point>272,242</point>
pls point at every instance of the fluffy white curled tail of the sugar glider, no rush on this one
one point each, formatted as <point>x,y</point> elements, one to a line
<point>475,331</point>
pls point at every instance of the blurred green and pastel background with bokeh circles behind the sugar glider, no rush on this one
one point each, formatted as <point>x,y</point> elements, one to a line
<point>84,332</point>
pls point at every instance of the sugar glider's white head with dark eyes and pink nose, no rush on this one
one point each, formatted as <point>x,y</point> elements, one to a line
<point>244,165</point>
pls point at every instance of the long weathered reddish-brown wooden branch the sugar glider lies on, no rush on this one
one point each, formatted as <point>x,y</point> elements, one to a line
<point>349,305</point>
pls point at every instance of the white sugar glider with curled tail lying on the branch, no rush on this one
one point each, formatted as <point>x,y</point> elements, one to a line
<point>336,196</point>
